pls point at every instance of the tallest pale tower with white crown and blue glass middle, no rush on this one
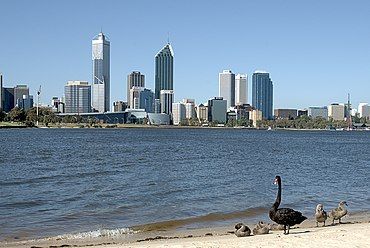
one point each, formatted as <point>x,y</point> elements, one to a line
<point>101,73</point>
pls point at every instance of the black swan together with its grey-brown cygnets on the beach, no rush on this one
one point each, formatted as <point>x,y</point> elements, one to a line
<point>287,217</point>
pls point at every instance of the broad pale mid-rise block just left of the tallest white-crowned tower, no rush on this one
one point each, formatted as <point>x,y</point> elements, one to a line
<point>77,97</point>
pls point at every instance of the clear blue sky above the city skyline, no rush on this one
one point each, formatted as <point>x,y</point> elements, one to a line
<point>316,51</point>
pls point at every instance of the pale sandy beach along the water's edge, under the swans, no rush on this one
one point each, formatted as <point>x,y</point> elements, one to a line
<point>219,237</point>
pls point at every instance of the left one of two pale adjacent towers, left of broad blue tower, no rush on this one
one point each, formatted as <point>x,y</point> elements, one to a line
<point>226,81</point>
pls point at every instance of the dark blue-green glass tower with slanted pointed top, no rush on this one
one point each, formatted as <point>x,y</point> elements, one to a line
<point>164,70</point>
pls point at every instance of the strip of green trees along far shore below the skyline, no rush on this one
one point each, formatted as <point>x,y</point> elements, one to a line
<point>17,117</point>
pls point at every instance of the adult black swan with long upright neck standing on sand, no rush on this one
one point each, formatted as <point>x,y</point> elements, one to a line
<point>284,216</point>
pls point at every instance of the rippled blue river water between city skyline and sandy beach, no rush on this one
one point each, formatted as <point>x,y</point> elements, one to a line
<point>78,180</point>
